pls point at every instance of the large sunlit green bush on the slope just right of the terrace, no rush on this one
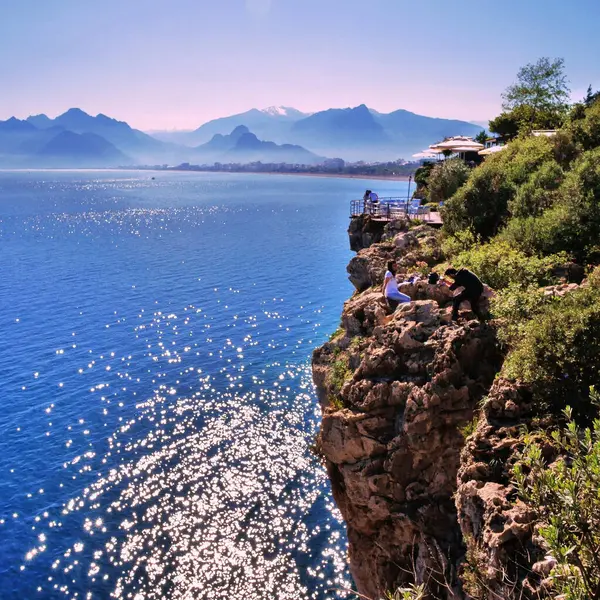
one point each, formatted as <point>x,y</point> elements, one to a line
<point>481,205</point>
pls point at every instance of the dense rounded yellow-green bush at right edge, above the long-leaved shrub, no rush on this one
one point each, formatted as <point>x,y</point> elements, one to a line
<point>558,351</point>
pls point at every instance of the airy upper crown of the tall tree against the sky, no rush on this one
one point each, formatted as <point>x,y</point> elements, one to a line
<point>541,85</point>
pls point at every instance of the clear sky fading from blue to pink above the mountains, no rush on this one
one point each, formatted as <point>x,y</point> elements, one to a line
<point>175,64</point>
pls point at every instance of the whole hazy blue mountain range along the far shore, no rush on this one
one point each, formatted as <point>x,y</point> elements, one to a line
<point>275,134</point>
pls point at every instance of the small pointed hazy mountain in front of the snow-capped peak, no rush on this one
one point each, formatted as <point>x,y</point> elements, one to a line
<point>242,146</point>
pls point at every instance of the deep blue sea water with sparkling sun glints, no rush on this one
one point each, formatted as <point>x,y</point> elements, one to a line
<point>157,409</point>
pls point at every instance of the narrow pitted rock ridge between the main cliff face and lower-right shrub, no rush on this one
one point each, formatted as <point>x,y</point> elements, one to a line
<point>498,528</point>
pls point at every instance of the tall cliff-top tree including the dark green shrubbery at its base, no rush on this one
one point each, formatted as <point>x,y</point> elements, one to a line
<point>539,99</point>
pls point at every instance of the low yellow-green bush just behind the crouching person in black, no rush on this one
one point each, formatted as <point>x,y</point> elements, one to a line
<point>500,265</point>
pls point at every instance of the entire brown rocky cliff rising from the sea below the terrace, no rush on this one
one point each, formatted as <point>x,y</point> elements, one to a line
<point>424,487</point>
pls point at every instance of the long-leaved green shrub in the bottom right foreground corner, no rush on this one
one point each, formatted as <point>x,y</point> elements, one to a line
<point>565,495</point>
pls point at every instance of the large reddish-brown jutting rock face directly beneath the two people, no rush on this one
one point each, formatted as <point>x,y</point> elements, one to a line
<point>393,450</point>
